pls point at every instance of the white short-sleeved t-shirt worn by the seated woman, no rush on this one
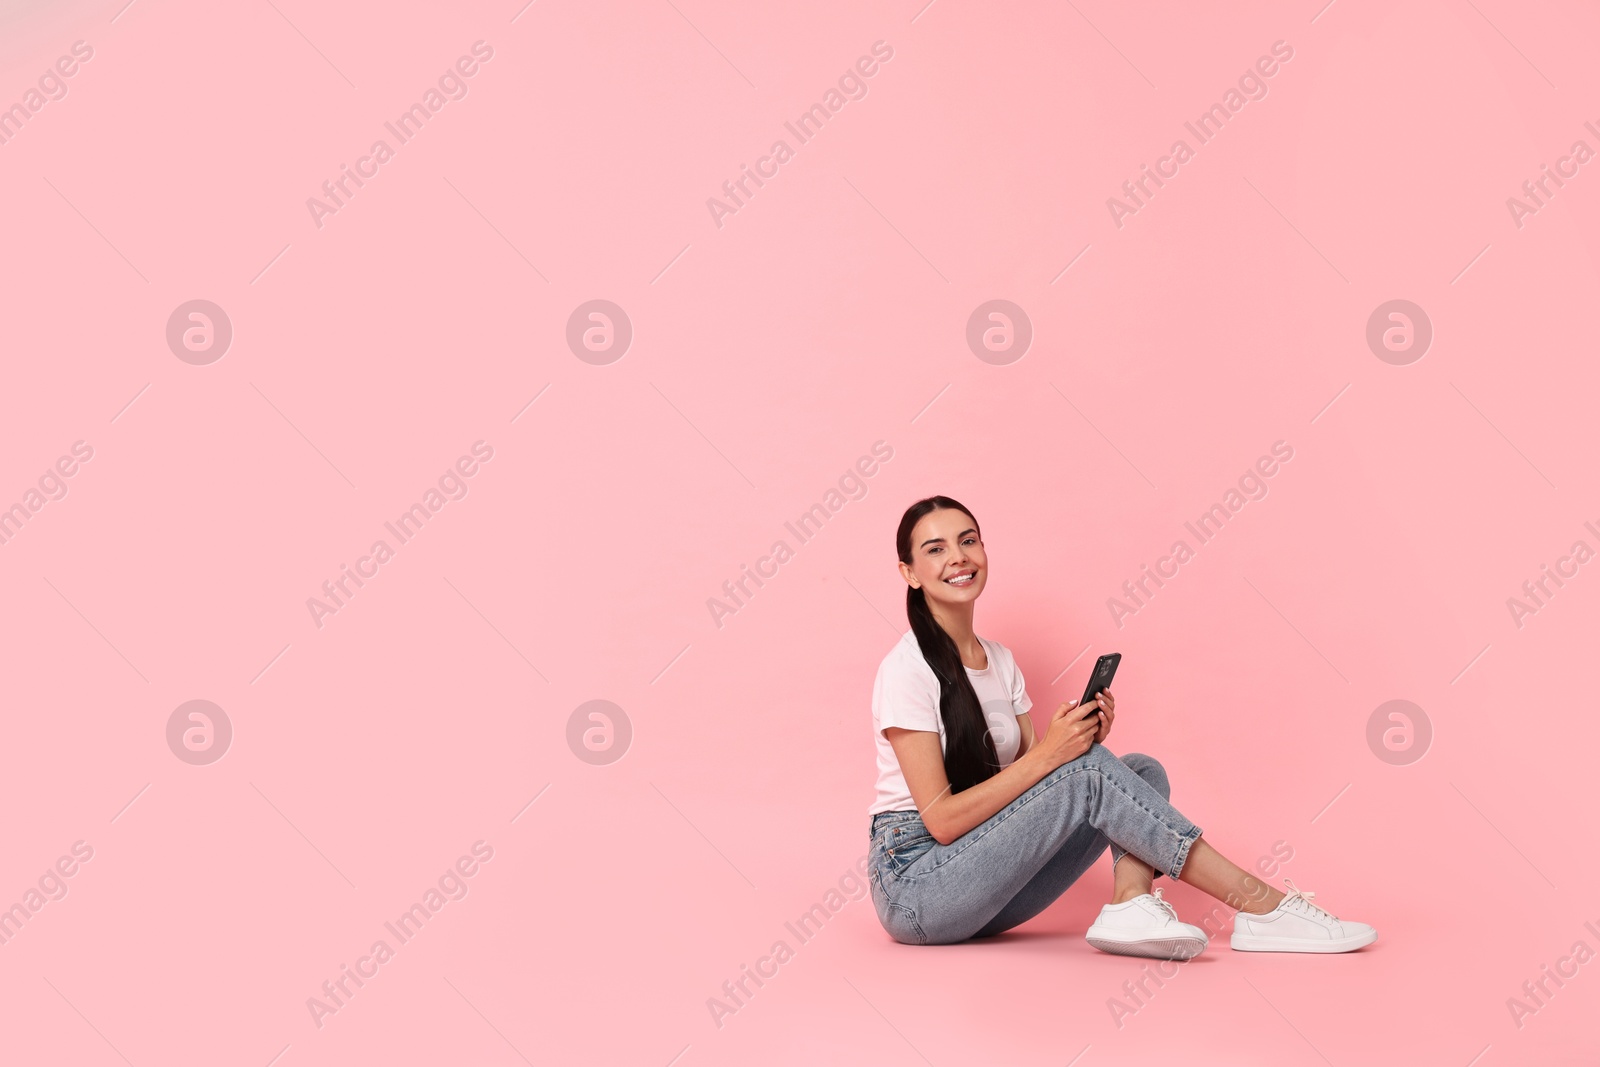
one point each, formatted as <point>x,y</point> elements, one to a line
<point>906,693</point>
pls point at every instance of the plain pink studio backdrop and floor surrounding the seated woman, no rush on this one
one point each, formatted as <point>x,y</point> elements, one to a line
<point>769,354</point>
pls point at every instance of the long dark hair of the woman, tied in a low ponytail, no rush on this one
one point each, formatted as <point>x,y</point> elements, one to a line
<point>969,751</point>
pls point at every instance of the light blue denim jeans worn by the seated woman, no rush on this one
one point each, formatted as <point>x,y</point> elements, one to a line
<point>1015,865</point>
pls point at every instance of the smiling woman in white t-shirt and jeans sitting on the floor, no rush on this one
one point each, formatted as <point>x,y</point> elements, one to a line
<point>978,828</point>
